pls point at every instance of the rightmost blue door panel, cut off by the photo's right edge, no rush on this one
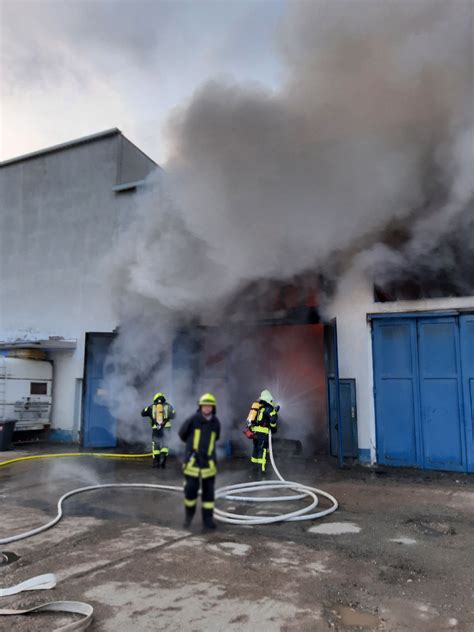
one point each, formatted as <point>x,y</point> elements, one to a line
<point>467,360</point>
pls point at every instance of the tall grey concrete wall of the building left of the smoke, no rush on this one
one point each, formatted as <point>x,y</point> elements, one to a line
<point>59,215</point>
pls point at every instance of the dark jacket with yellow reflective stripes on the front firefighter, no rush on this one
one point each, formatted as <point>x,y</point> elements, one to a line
<point>200,435</point>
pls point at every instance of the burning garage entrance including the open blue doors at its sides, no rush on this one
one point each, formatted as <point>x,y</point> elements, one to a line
<point>296,362</point>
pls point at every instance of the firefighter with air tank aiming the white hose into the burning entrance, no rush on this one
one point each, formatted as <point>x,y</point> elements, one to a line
<point>262,420</point>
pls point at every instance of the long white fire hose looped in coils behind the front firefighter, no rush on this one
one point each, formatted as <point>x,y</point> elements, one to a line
<point>228,493</point>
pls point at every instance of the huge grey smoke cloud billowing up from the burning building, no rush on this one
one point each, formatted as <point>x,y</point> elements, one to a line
<point>372,126</point>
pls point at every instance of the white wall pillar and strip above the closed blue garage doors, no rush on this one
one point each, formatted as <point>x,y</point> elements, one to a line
<point>354,300</point>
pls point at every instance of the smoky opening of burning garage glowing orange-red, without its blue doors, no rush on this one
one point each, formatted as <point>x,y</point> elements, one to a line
<point>289,361</point>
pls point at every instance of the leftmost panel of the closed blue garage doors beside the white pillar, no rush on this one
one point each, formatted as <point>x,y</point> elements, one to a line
<point>396,399</point>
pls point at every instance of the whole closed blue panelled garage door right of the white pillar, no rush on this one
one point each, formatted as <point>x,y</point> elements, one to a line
<point>420,392</point>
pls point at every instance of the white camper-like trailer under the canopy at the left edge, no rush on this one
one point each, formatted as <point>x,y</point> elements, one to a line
<point>26,392</point>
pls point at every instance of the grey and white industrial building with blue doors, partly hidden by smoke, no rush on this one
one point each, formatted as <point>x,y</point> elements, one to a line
<point>393,381</point>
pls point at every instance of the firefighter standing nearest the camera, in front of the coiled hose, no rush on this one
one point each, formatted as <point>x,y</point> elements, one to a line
<point>200,433</point>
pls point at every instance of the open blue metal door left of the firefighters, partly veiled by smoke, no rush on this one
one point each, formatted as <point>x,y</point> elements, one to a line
<point>98,427</point>
